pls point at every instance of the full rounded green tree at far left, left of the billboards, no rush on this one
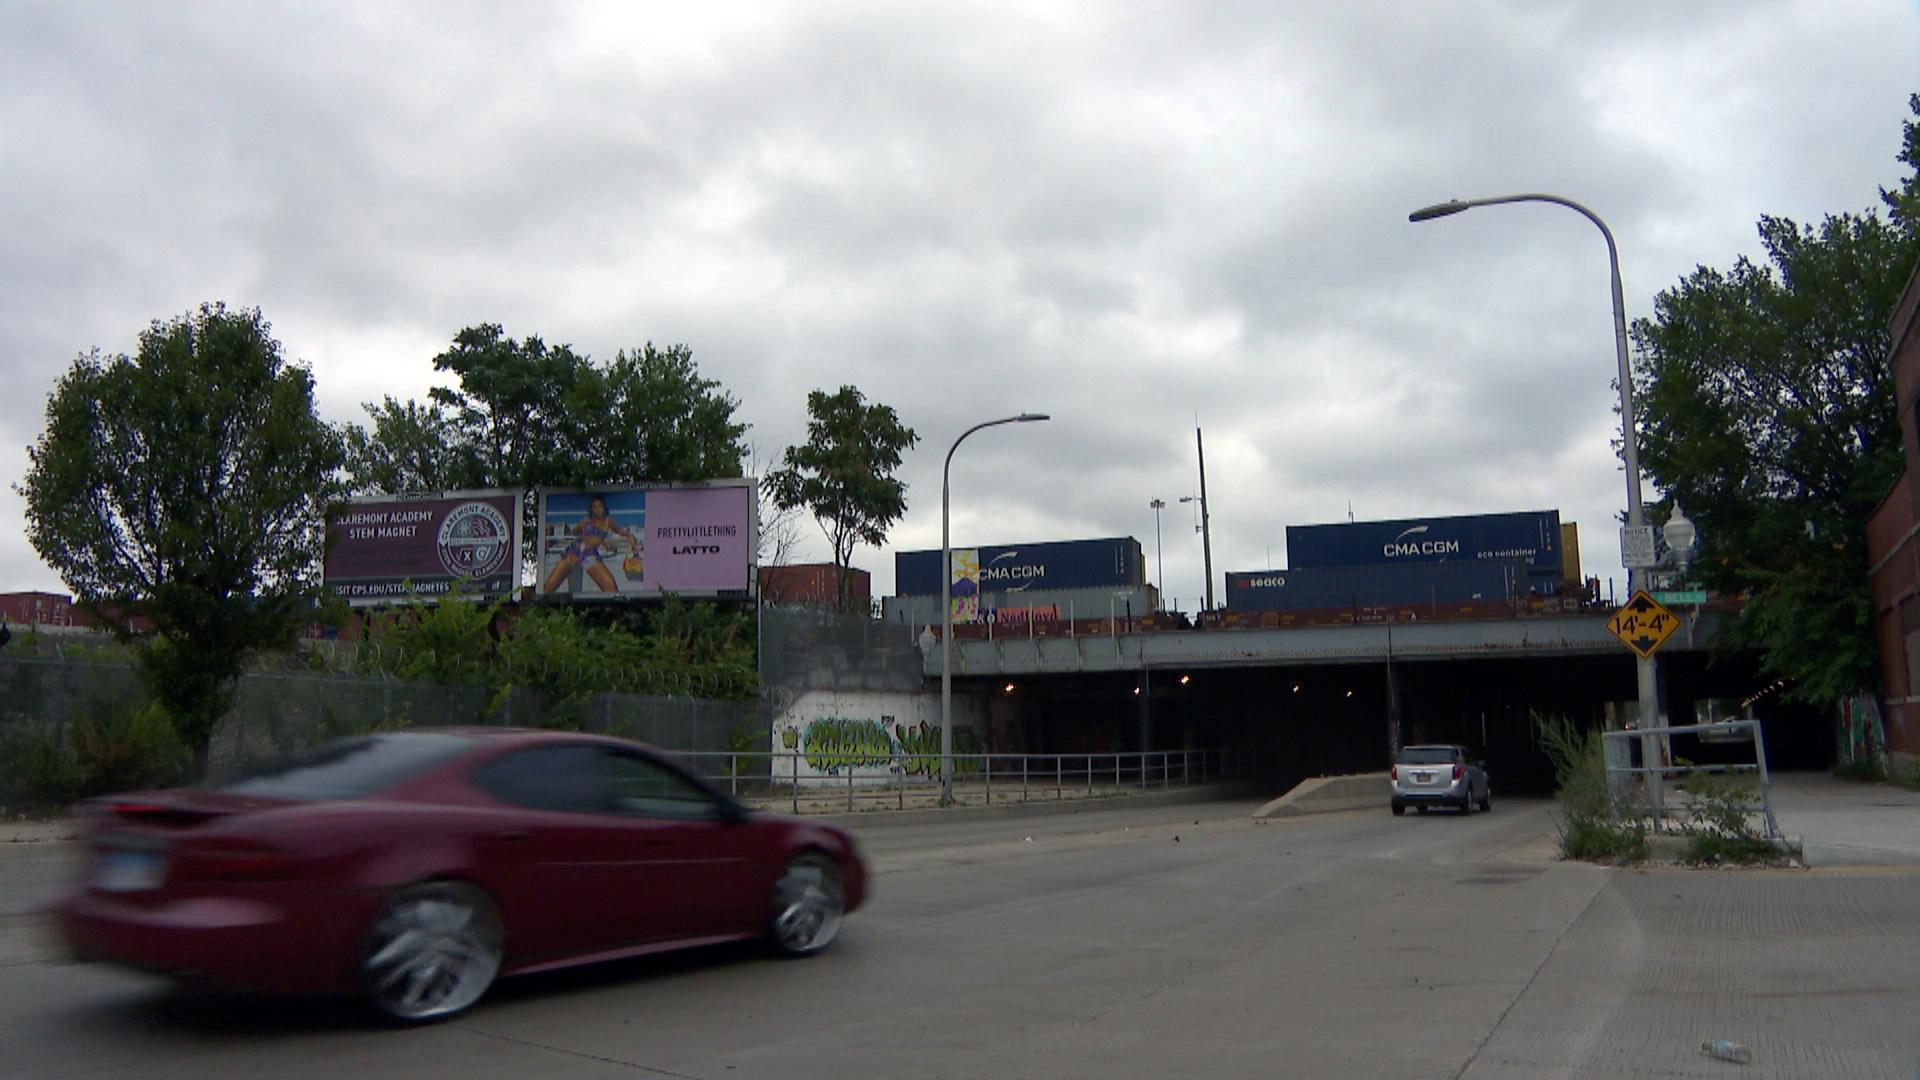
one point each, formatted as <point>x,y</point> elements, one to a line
<point>185,485</point>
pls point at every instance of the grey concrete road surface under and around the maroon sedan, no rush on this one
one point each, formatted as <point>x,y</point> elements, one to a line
<point>1130,943</point>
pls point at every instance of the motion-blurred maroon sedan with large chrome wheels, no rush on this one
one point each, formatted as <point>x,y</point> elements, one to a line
<point>416,868</point>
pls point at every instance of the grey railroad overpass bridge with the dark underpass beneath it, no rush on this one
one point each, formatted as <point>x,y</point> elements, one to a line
<point>1333,699</point>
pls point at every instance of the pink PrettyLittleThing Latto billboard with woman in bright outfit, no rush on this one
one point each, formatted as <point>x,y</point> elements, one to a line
<point>627,543</point>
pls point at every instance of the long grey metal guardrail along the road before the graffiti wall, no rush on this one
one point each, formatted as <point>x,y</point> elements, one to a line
<point>1009,777</point>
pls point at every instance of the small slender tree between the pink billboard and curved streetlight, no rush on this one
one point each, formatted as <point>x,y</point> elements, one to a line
<point>844,474</point>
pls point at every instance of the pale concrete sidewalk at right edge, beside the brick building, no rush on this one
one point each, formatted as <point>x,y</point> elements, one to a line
<point>1844,823</point>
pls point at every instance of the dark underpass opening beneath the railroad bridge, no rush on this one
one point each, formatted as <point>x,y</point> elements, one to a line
<point>1330,720</point>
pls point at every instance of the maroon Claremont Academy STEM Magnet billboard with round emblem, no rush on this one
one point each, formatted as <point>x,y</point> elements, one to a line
<point>383,551</point>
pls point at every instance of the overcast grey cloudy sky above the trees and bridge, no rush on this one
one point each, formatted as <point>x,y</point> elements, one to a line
<point>1130,216</point>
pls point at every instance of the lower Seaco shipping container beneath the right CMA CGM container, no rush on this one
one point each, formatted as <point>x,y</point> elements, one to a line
<point>1376,587</point>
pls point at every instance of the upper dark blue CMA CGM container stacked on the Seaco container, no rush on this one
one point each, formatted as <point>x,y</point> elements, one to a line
<point>1499,537</point>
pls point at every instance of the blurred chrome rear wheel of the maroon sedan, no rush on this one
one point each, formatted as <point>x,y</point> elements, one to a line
<point>433,952</point>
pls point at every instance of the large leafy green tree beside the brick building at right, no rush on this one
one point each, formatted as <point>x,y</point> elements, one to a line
<point>1767,414</point>
